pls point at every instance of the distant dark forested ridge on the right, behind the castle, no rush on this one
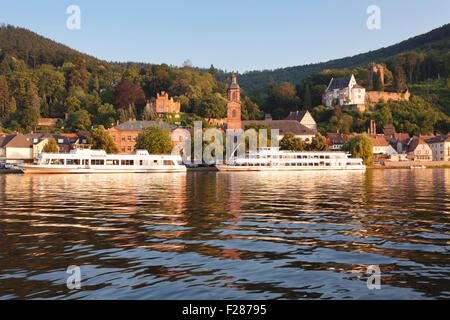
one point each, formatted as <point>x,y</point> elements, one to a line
<point>437,41</point>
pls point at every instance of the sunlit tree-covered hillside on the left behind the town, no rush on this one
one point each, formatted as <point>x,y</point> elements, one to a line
<point>42,78</point>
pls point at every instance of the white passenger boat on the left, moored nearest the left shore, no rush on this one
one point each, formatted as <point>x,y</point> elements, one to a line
<point>97,161</point>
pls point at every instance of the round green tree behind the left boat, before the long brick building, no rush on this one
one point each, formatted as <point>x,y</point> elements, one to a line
<point>155,139</point>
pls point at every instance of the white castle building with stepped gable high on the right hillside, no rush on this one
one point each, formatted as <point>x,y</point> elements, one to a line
<point>345,90</point>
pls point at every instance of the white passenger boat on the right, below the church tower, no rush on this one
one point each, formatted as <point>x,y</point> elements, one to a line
<point>273,159</point>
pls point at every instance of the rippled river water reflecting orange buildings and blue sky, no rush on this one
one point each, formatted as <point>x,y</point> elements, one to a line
<point>209,235</point>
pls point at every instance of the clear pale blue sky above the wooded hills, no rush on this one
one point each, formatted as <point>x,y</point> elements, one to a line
<point>233,35</point>
